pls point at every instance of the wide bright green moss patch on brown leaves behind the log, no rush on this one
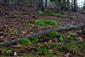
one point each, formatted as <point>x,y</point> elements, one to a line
<point>45,23</point>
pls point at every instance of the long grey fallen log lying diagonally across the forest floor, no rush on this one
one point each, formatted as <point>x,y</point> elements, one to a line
<point>64,28</point>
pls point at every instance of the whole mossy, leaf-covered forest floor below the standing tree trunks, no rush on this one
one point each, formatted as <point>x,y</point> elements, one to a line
<point>22,23</point>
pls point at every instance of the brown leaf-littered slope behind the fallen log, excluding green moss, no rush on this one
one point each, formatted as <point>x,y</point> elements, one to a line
<point>19,22</point>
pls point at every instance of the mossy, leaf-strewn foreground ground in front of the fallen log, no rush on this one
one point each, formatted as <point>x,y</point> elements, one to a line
<point>48,45</point>
